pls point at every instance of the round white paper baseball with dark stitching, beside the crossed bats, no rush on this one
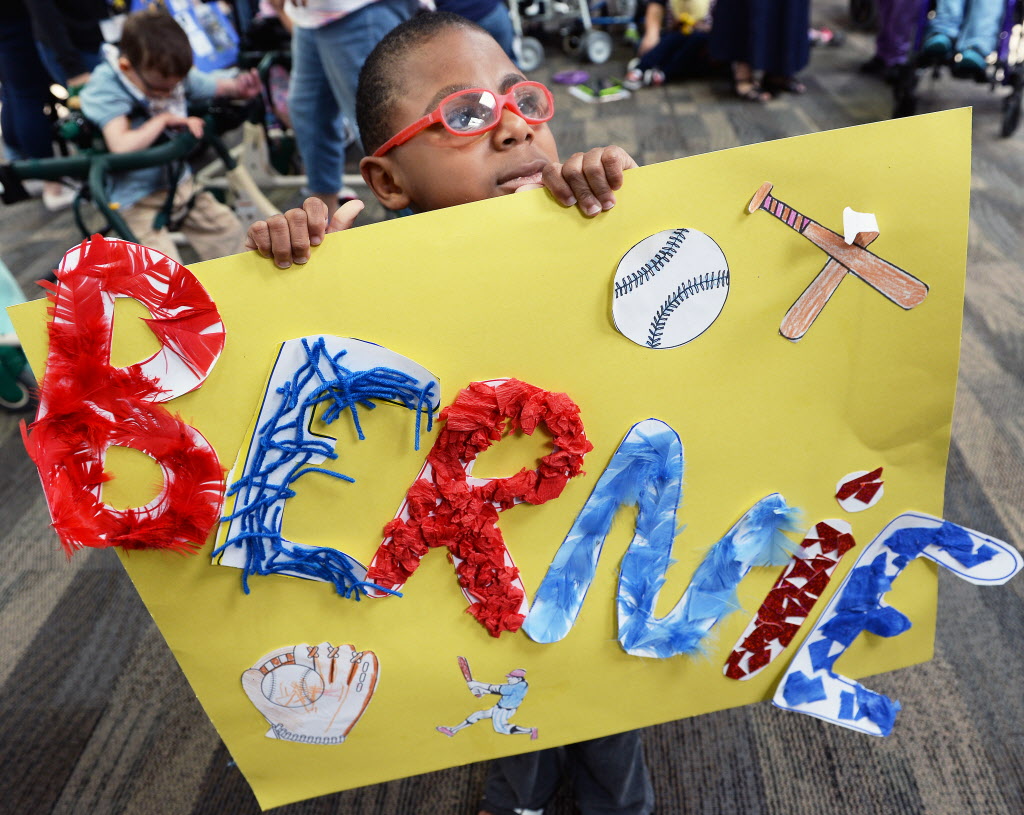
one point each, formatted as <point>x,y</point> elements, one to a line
<point>670,288</point>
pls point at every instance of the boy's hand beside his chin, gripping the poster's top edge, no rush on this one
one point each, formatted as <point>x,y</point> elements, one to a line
<point>589,180</point>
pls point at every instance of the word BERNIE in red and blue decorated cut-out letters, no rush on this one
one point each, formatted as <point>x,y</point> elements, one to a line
<point>87,405</point>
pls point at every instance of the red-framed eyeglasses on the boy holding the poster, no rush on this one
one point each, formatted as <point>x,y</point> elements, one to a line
<point>470,113</point>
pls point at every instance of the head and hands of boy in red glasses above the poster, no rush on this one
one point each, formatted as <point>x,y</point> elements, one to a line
<point>412,71</point>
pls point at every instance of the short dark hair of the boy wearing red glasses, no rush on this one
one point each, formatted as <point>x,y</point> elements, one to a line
<point>380,80</point>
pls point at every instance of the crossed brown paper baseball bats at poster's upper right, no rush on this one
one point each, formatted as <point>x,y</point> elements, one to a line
<point>900,286</point>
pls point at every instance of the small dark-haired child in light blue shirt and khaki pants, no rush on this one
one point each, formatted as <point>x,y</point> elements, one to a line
<point>136,100</point>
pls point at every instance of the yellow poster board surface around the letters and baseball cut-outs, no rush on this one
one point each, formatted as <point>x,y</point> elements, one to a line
<point>520,287</point>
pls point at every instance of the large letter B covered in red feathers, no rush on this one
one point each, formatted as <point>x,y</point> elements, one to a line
<point>88,406</point>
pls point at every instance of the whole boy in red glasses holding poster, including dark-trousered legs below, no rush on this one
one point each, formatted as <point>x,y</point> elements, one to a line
<point>446,119</point>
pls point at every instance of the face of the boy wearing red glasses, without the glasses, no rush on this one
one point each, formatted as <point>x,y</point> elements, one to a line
<point>436,169</point>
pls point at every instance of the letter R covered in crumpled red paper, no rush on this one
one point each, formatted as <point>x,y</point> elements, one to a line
<point>448,507</point>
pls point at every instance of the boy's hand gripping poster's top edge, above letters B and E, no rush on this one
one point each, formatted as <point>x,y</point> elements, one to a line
<point>288,238</point>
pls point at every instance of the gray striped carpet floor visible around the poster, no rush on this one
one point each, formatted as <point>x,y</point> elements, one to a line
<point>96,716</point>
